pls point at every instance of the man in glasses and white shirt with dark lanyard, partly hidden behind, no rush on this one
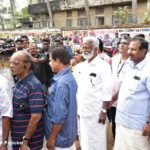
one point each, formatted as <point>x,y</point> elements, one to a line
<point>119,62</point>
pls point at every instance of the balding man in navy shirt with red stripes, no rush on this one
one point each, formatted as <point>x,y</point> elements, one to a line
<point>28,104</point>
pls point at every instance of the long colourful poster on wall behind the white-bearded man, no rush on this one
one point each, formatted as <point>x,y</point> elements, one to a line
<point>106,35</point>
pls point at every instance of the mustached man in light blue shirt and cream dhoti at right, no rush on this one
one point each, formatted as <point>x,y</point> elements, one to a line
<point>133,107</point>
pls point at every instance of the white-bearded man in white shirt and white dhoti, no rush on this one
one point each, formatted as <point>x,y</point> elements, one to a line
<point>94,93</point>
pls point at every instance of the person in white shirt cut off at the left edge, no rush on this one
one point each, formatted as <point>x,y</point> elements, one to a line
<point>5,112</point>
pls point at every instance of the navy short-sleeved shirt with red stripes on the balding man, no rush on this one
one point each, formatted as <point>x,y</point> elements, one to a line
<point>28,98</point>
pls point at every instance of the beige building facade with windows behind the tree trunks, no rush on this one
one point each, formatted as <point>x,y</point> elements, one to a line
<point>70,14</point>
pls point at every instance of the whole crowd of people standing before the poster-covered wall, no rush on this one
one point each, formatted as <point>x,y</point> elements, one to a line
<point>52,96</point>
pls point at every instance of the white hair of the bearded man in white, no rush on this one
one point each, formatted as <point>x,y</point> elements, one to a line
<point>91,39</point>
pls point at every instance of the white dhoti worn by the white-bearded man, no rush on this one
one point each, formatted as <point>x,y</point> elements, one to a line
<point>93,134</point>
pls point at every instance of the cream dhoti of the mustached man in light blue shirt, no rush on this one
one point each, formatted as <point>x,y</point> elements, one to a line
<point>130,139</point>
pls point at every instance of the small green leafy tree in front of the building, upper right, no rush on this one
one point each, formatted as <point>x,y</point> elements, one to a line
<point>121,15</point>
